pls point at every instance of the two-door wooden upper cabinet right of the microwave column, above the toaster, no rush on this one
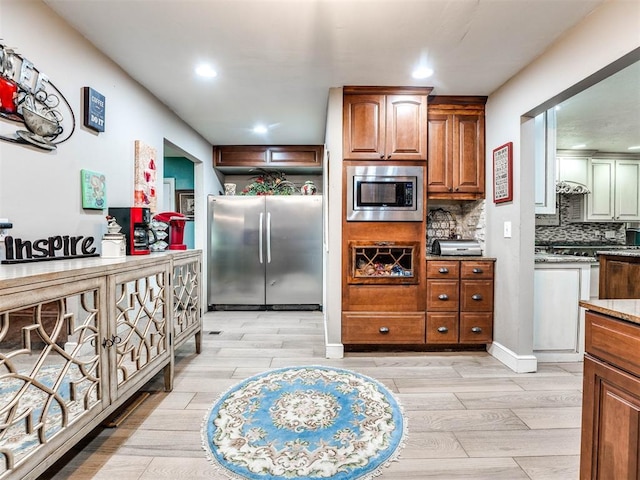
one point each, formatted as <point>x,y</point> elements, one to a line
<point>456,160</point>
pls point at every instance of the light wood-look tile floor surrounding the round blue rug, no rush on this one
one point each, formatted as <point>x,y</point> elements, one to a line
<point>469,416</point>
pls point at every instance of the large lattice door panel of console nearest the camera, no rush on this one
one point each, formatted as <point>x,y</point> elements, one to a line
<point>53,380</point>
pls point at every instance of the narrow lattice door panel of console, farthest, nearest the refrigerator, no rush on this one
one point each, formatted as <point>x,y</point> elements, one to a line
<point>187,313</point>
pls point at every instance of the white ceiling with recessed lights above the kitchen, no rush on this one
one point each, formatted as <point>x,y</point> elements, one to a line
<point>277,59</point>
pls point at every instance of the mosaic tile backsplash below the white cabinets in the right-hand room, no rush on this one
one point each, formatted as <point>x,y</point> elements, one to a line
<point>565,233</point>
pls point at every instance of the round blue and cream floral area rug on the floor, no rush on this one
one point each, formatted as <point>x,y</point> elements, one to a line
<point>304,422</point>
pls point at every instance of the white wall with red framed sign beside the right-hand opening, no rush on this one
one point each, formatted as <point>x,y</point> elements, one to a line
<point>609,33</point>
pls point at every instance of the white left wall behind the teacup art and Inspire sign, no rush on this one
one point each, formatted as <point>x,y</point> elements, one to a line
<point>39,190</point>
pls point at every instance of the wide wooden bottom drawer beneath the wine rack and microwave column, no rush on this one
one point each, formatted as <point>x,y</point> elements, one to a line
<point>383,328</point>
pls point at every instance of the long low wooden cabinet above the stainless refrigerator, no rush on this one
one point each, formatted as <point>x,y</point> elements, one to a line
<point>281,156</point>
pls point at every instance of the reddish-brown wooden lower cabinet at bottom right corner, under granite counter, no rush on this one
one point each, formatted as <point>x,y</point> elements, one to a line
<point>611,400</point>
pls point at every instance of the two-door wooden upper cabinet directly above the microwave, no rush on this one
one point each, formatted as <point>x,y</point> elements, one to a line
<point>383,123</point>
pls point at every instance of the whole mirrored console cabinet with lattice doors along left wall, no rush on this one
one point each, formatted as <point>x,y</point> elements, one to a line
<point>78,338</point>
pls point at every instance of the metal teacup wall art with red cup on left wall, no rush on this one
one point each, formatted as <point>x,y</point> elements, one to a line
<point>34,112</point>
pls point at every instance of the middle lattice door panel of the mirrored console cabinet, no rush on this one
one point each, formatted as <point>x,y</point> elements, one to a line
<point>141,326</point>
